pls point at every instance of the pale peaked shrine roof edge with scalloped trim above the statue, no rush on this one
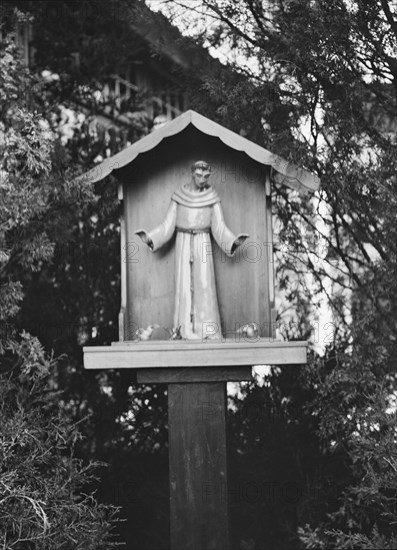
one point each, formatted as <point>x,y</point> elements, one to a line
<point>285,172</point>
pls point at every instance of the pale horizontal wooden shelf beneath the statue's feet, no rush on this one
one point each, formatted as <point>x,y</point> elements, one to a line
<point>192,354</point>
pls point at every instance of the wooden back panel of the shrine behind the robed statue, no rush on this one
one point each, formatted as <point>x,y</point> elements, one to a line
<point>242,281</point>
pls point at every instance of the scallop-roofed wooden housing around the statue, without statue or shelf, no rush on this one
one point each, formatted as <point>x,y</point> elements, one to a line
<point>155,168</point>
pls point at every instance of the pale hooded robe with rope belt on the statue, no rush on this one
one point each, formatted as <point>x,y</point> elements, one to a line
<point>195,215</point>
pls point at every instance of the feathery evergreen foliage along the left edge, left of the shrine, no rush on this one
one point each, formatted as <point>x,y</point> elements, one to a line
<point>45,500</point>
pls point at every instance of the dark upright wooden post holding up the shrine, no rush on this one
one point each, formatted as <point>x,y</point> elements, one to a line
<point>198,475</point>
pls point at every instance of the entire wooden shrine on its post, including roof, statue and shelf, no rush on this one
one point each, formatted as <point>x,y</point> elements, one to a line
<point>153,174</point>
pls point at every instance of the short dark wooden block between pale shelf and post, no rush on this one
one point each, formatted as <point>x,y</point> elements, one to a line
<point>194,374</point>
